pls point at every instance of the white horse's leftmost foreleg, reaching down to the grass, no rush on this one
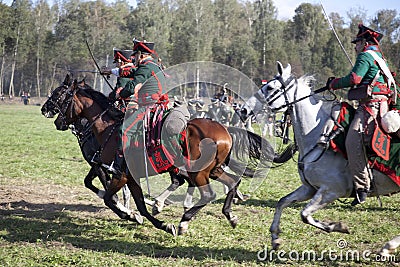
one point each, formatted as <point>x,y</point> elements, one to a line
<point>302,193</point>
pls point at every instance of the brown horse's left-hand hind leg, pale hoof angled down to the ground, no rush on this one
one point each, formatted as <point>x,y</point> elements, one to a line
<point>206,196</point>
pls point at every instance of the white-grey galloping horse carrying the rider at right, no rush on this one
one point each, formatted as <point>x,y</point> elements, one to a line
<point>324,174</point>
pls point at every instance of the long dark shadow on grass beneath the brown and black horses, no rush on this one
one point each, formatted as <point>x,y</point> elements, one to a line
<point>50,223</point>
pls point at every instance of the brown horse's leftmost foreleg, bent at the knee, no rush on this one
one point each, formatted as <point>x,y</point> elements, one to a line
<point>126,214</point>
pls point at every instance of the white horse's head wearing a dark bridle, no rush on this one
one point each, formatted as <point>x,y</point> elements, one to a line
<point>272,95</point>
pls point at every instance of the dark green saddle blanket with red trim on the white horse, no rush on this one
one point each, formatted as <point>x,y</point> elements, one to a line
<point>390,166</point>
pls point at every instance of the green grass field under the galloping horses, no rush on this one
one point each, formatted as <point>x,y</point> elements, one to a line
<point>48,218</point>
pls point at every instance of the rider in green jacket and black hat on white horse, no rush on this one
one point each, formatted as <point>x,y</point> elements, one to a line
<point>371,86</point>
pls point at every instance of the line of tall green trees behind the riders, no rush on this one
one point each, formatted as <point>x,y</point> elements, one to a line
<point>40,43</point>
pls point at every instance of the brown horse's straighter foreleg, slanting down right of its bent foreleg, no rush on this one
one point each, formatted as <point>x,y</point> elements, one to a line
<point>137,194</point>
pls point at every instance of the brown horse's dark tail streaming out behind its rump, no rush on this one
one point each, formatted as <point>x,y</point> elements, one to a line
<point>248,147</point>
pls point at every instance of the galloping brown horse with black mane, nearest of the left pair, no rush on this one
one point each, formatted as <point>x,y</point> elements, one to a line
<point>78,100</point>
